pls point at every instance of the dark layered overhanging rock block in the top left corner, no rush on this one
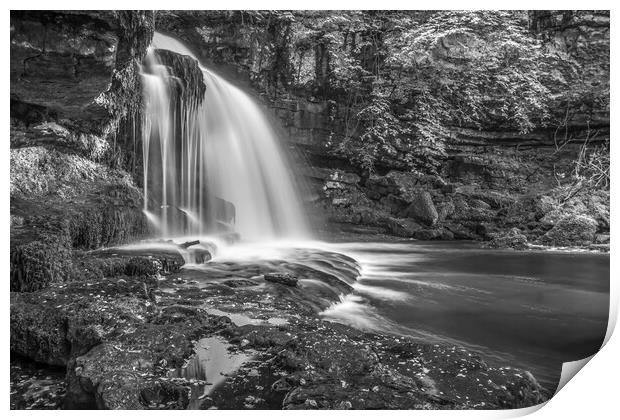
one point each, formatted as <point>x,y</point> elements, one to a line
<point>69,57</point>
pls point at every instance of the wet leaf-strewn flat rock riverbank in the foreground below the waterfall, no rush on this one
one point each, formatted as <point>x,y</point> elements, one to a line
<point>220,335</point>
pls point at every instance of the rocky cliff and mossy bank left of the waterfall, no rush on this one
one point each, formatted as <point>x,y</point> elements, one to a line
<point>75,100</point>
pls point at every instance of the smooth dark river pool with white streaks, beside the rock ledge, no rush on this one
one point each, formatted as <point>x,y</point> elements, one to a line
<point>534,310</point>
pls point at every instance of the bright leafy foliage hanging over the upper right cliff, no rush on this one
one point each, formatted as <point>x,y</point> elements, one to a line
<point>407,77</point>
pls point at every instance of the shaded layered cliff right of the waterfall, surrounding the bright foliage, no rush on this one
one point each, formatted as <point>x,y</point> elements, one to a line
<point>491,179</point>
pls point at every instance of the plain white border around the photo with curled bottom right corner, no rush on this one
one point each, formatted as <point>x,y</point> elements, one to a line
<point>592,394</point>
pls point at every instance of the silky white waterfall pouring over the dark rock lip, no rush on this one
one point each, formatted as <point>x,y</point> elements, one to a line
<point>213,163</point>
